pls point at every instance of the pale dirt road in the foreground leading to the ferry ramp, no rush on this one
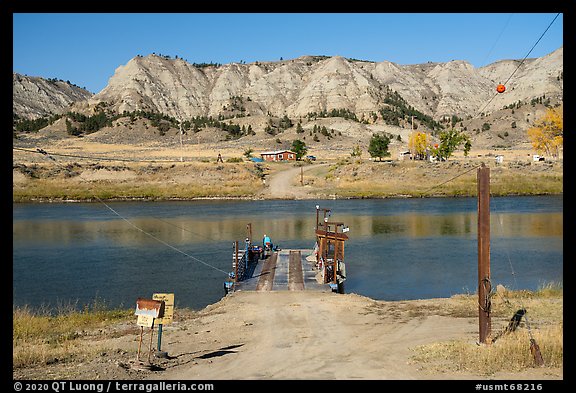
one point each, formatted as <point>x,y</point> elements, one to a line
<point>313,335</point>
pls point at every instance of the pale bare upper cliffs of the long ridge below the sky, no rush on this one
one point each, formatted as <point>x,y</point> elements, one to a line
<point>318,83</point>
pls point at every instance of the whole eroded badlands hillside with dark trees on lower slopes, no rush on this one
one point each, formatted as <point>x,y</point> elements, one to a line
<point>329,102</point>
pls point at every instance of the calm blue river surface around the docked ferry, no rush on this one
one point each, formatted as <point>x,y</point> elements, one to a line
<point>75,253</point>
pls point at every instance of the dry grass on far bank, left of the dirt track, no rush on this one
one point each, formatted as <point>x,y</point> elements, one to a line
<point>136,181</point>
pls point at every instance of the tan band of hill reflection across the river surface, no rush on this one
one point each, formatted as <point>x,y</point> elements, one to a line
<point>191,230</point>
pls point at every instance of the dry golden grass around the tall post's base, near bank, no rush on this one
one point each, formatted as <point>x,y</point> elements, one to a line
<point>510,352</point>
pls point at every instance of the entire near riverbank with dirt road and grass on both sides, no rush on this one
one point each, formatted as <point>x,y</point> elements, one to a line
<point>314,335</point>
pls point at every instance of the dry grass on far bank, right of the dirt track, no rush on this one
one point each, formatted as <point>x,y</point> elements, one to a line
<point>348,178</point>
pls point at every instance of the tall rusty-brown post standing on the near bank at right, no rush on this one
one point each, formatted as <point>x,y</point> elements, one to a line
<point>484,283</point>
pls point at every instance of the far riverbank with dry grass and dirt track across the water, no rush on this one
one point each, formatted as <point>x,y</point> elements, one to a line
<point>337,179</point>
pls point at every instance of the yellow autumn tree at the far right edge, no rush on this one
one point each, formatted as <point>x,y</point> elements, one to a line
<point>547,135</point>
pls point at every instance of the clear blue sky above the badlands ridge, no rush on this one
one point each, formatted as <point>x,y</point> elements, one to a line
<point>86,48</point>
